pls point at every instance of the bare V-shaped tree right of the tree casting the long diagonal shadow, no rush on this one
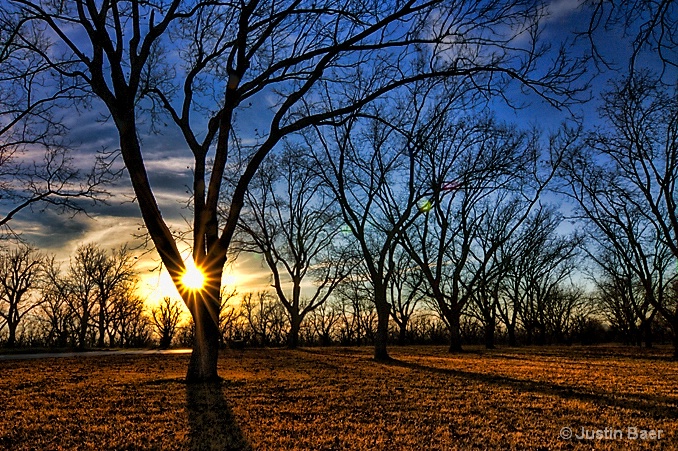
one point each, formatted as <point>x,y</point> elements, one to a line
<point>484,179</point>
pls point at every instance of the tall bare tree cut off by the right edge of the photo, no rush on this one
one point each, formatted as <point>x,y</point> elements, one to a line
<point>624,183</point>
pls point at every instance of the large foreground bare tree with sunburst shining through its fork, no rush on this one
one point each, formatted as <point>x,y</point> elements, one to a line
<point>298,51</point>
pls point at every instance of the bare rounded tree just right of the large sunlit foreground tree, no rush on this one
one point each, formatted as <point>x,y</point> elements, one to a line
<point>294,226</point>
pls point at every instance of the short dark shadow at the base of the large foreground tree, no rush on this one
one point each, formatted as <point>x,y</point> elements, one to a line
<point>212,424</point>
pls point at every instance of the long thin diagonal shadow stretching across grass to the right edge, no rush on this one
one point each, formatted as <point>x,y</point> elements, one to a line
<point>657,406</point>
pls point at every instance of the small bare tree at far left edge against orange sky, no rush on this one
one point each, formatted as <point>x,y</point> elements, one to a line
<point>20,271</point>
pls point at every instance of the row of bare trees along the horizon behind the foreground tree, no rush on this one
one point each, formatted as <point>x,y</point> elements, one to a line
<point>431,230</point>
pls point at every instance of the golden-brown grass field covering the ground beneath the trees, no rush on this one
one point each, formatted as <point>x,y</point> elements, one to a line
<point>338,398</point>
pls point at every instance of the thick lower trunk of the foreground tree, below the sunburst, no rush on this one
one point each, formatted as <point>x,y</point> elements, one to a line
<point>204,307</point>
